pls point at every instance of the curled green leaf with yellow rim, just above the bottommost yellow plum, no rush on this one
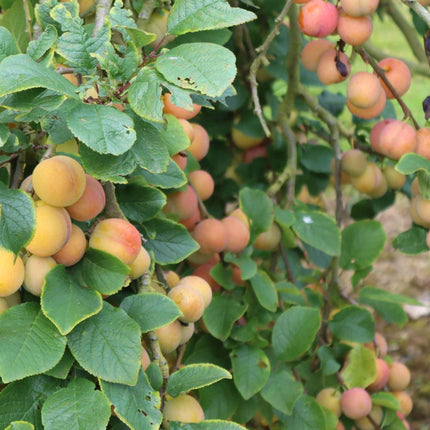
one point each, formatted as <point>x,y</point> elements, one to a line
<point>195,376</point>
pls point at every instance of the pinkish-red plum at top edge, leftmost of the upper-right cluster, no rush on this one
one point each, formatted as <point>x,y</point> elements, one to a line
<point>318,18</point>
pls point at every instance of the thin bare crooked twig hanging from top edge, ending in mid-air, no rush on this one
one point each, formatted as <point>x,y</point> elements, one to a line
<point>262,59</point>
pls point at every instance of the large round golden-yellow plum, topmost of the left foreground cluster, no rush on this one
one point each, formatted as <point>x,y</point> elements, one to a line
<point>59,181</point>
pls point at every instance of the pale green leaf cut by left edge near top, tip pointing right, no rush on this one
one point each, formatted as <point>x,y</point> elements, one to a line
<point>20,72</point>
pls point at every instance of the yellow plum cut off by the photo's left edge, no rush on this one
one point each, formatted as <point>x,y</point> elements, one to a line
<point>11,272</point>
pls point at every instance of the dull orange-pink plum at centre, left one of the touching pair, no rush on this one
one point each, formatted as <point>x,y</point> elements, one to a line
<point>211,235</point>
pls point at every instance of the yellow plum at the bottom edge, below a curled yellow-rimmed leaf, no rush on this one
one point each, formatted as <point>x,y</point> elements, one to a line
<point>184,408</point>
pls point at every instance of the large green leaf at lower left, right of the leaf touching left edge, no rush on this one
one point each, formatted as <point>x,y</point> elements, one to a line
<point>107,345</point>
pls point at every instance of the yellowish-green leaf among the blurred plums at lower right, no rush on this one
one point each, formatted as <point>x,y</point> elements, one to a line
<point>360,370</point>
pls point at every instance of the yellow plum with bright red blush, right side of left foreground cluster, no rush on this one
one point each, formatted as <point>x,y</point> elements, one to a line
<point>118,237</point>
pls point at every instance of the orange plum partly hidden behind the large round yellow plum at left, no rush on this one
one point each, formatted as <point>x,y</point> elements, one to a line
<point>91,203</point>
